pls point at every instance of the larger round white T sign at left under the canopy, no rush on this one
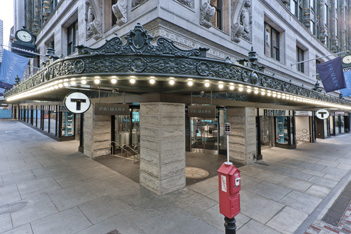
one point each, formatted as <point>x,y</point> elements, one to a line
<point>77,103</point>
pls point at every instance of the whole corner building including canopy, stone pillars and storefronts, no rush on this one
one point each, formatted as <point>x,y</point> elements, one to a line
<point>270,97</point>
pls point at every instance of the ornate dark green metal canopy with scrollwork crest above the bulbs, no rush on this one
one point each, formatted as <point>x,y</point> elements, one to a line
<point>138,57</point>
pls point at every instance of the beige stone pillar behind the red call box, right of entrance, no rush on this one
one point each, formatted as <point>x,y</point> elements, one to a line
<point>242,139</point>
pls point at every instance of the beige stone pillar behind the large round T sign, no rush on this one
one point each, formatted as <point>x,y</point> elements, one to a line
<point>97,134</point>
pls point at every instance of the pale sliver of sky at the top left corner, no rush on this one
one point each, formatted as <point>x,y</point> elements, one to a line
<point>6,15</point>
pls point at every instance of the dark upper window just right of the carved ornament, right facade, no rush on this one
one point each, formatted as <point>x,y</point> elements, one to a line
<point>271,41</point>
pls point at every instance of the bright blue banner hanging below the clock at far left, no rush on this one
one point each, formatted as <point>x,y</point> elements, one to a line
<point>12,66</point>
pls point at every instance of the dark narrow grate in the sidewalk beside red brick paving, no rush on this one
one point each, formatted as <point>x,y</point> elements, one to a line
<point>337,210</point>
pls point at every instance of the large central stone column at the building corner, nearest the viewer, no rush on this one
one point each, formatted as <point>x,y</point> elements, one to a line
<point>162,147</point>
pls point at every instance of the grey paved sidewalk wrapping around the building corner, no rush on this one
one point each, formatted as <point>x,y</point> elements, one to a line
<point>48,187</point>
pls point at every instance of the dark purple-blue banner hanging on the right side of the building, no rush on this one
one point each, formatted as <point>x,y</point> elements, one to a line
<point>332,75</point>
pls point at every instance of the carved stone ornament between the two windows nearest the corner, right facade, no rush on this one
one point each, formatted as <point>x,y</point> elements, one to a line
<point>241,20</point>
